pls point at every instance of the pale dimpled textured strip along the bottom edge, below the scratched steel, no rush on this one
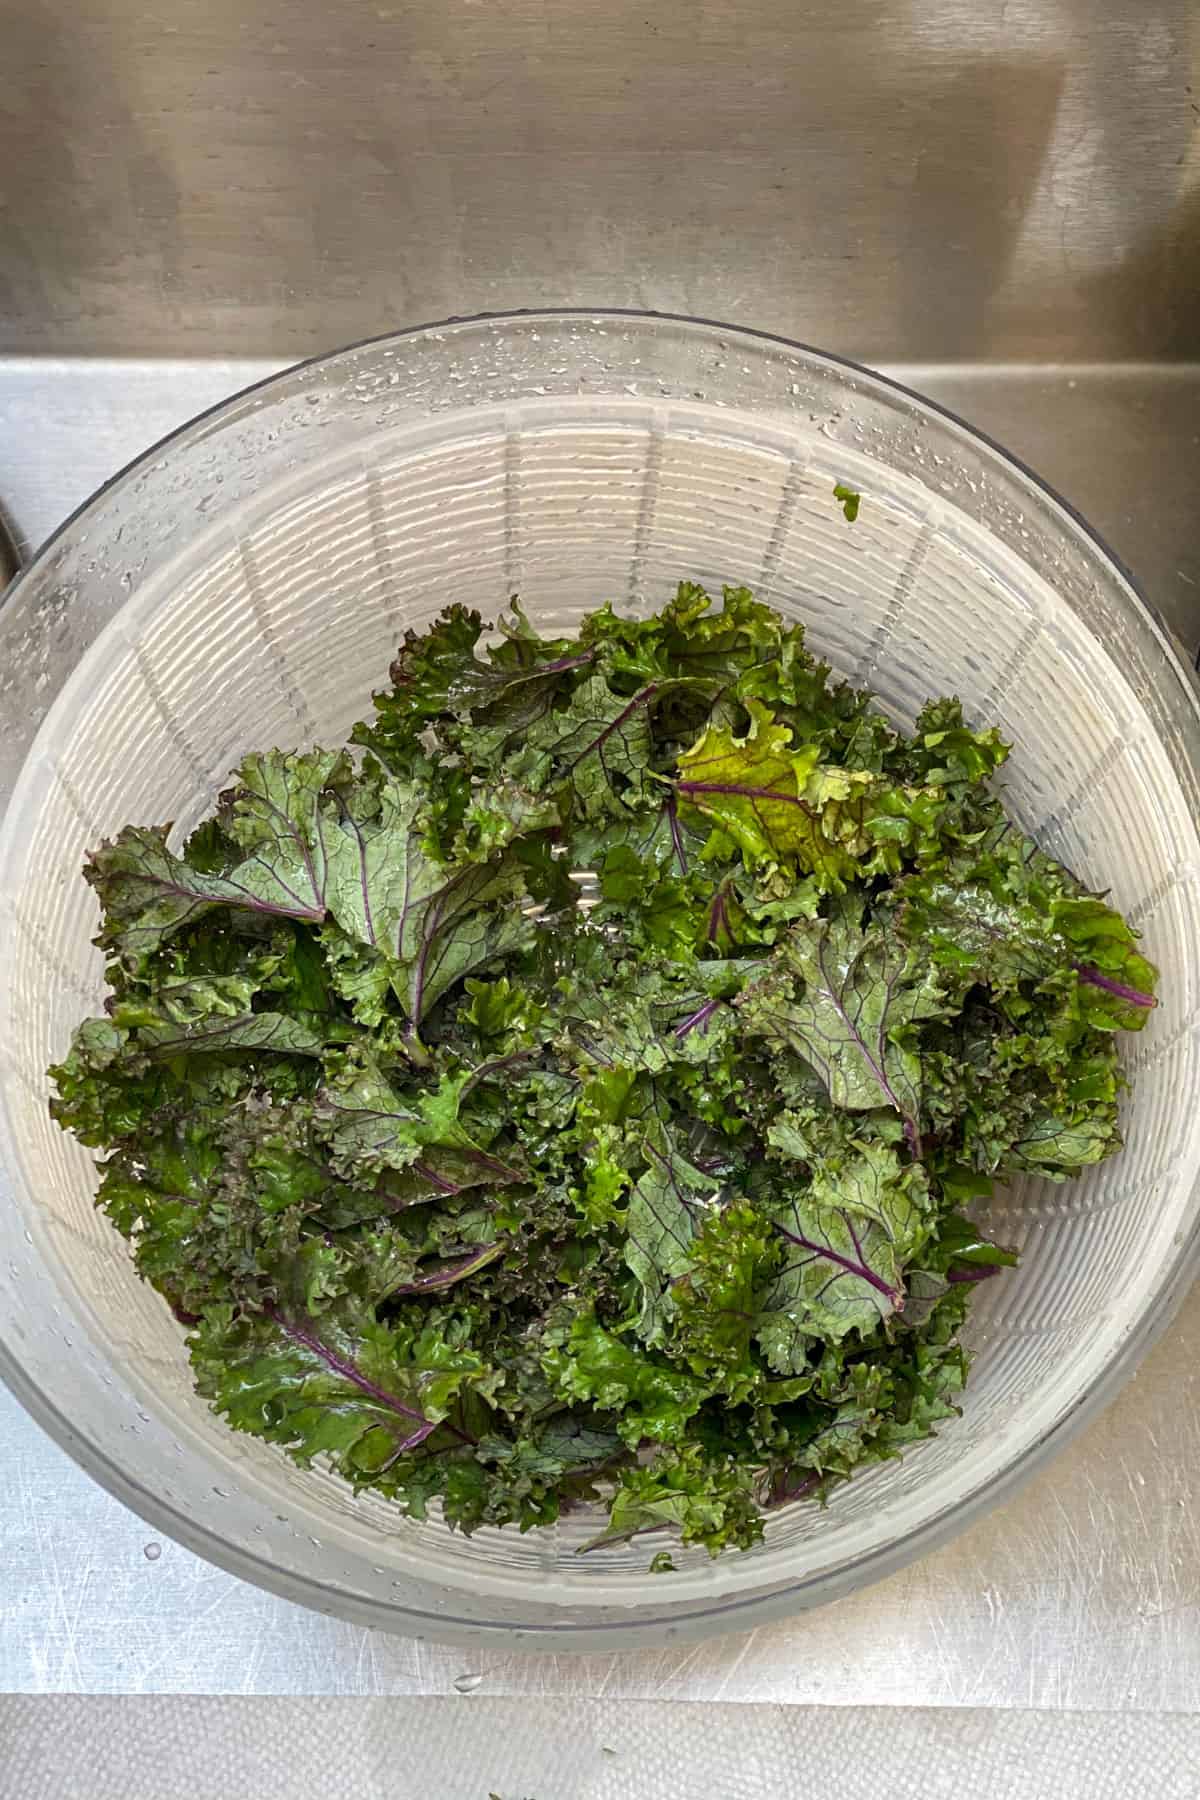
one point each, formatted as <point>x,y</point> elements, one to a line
<point>472,1749</point>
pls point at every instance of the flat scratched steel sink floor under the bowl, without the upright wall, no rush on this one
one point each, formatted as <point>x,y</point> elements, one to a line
<point>1080,1594</point>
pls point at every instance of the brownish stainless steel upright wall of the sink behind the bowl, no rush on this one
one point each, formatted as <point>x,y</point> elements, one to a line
<point>936,177</point>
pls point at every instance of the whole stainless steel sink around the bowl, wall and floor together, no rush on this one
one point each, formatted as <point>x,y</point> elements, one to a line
<point>999,206</point>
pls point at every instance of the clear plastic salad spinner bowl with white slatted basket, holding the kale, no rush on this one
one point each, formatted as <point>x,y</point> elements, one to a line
<point>246,586</point>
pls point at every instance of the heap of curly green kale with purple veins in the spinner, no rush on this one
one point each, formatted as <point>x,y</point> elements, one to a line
<point>578,1093</point>
